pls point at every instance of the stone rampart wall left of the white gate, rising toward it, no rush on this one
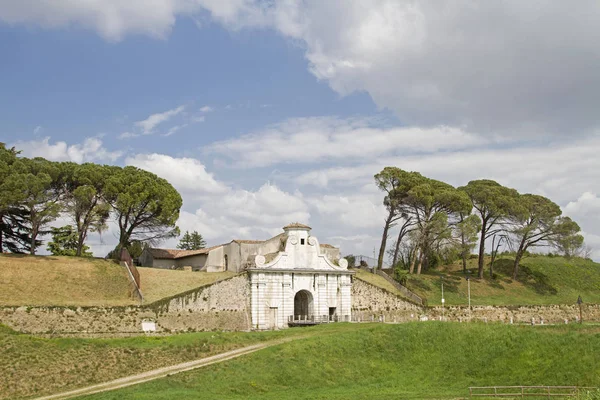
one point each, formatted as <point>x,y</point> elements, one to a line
<point>220,306</point>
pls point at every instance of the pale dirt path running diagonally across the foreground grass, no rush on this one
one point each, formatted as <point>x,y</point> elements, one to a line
<point>165,371</point>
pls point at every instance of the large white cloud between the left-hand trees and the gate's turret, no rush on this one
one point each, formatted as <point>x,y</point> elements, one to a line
<point>218,211</point>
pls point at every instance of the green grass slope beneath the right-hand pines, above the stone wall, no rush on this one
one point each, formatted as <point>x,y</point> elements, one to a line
<point>542,280</point>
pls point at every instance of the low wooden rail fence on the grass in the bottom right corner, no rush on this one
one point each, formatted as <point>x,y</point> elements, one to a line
<point>528,391</point>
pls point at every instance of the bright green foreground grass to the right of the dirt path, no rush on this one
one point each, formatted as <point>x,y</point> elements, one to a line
<point>415,360</point>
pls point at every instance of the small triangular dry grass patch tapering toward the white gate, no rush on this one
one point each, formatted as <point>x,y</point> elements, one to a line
<point>160,283</point>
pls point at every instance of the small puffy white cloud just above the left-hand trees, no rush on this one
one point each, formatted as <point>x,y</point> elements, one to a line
<point>90,150</point>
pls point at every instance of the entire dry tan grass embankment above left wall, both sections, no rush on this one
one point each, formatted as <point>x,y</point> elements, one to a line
<point>72,281</point>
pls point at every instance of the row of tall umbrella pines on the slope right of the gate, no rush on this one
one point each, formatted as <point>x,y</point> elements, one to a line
<point>438,222</point>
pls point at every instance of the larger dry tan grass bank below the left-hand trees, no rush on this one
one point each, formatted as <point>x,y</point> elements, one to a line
<point>61,281</point>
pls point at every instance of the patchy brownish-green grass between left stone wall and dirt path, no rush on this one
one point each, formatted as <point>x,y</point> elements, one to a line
<point>37,366</point>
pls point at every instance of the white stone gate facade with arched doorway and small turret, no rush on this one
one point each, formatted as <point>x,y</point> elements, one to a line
<point>299,284</point>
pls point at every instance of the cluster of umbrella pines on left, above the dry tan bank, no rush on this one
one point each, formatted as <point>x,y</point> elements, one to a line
<point>36,192</point>
